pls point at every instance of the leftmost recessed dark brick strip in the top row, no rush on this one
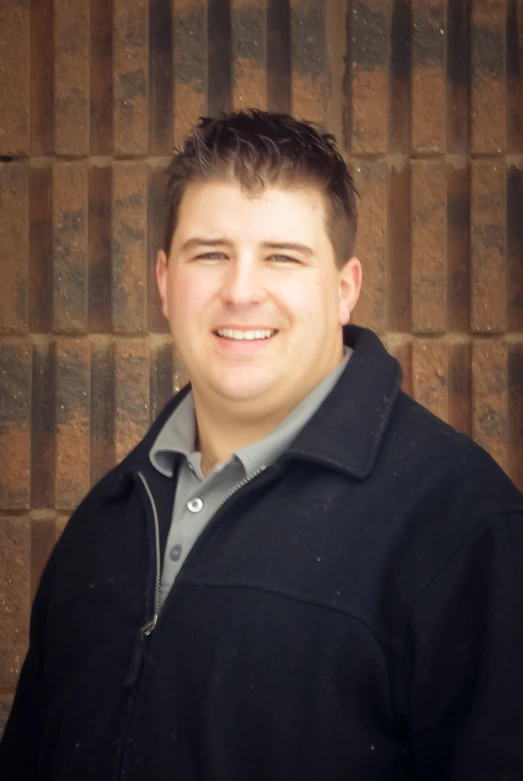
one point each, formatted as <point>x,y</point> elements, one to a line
<point>42,77</point>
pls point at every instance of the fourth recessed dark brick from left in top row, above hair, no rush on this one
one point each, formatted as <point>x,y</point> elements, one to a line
<point>219,75</point>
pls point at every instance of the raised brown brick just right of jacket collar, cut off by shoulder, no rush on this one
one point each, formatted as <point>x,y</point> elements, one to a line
<point>430,368</point>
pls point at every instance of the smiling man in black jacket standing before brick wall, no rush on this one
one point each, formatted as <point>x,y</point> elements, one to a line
<point>299,573</point>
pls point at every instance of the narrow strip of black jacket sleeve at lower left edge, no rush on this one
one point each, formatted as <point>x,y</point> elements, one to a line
<point>20,745</point>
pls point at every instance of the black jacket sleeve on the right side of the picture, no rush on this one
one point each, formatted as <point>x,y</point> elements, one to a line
<point>463,661</point>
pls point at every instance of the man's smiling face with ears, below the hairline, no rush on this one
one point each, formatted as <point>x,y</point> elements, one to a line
<point>253,296</point>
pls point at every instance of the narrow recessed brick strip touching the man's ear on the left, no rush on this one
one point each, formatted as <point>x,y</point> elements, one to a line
<point>156,322</point>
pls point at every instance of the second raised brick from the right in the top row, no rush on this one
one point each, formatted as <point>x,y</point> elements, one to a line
<point>428,76</point>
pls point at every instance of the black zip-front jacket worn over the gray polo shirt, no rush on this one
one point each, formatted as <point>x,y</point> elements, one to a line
<point>353,612</point>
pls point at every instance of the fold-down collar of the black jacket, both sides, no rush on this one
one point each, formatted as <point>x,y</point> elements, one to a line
<point>344,434</point>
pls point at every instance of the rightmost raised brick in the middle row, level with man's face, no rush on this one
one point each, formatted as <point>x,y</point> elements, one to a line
<point>488,247</point>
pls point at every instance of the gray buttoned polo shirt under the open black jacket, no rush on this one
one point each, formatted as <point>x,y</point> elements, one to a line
<point>197,497</point>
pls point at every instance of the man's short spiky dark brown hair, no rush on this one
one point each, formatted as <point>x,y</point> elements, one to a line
<point>259,149</point>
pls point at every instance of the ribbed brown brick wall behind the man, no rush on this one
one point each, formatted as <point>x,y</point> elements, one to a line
<point>426,99</point>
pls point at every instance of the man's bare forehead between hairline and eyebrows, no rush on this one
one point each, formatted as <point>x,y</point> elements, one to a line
<point>223,209</point>
